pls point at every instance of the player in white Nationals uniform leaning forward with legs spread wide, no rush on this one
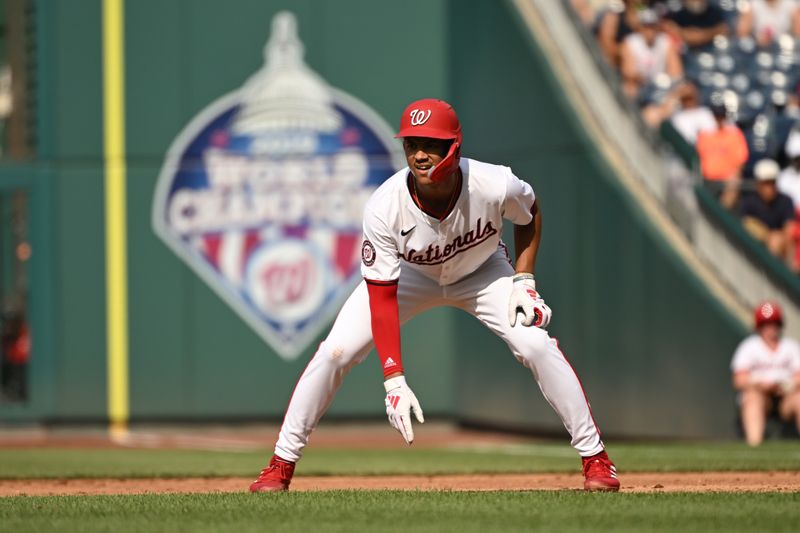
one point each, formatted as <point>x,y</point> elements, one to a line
<point>432,238</point>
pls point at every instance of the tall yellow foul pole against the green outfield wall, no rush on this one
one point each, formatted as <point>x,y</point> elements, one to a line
<point>115,216</point>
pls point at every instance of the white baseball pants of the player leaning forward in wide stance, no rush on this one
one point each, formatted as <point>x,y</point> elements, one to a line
<point>484,294</point>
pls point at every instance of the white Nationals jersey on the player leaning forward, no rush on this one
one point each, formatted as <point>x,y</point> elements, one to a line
<point>397,231</point>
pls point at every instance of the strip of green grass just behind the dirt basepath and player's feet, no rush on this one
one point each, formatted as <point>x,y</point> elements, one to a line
<point>541,457</point>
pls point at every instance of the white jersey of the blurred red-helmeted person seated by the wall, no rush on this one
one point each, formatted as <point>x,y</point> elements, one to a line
<point>754,355</point>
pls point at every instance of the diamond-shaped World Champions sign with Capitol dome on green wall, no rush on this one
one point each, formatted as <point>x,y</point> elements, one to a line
<point>262,194</point>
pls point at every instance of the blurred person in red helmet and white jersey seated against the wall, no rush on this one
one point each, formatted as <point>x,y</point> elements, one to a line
<point>766,371</point>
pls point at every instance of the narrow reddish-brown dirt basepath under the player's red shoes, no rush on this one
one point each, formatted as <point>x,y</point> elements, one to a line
<point>633,483</point>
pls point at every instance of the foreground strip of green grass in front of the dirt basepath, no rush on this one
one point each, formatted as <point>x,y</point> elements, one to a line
<point>388,511</point>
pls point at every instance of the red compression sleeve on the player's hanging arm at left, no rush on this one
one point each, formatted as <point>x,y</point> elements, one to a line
<point>385,324</point>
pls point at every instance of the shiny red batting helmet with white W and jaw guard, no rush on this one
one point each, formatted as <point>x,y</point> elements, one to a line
<point>435,119</point>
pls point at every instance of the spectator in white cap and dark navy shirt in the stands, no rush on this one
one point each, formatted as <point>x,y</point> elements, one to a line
<point>768,214</point>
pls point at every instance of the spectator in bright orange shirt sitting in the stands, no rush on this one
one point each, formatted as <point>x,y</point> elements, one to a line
<point>723,152</point>
